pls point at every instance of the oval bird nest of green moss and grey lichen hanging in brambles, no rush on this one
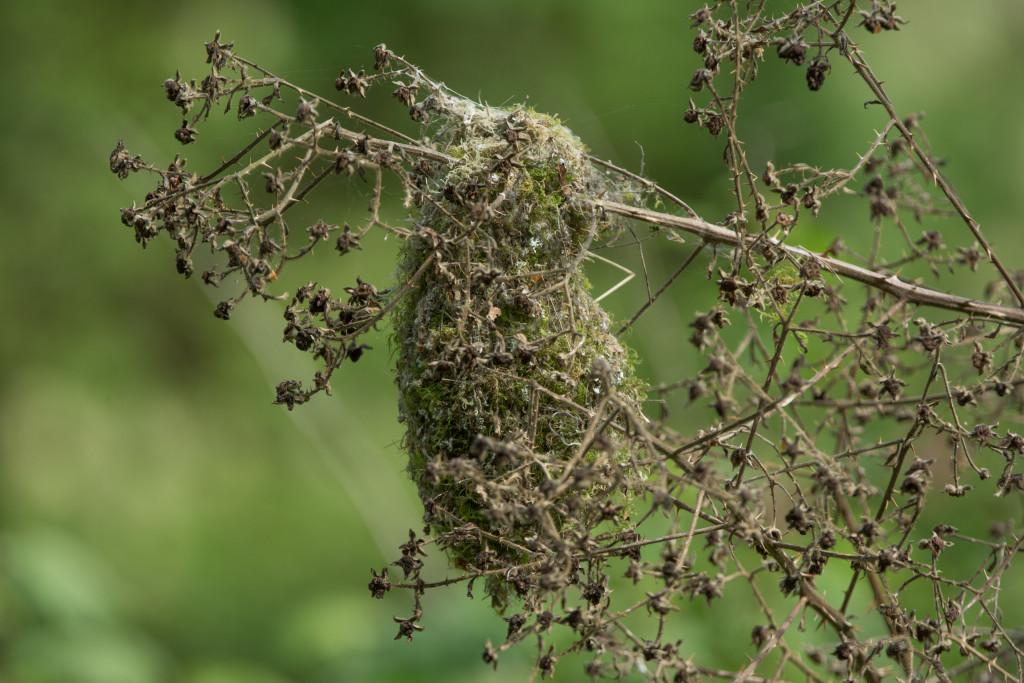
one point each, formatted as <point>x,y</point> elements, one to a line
<point>517,396</point>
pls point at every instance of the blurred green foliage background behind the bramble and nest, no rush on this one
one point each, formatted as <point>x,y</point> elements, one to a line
<point>161,520</point>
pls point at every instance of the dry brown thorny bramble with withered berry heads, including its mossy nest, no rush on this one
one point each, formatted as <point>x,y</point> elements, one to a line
<point>855,404</point>
